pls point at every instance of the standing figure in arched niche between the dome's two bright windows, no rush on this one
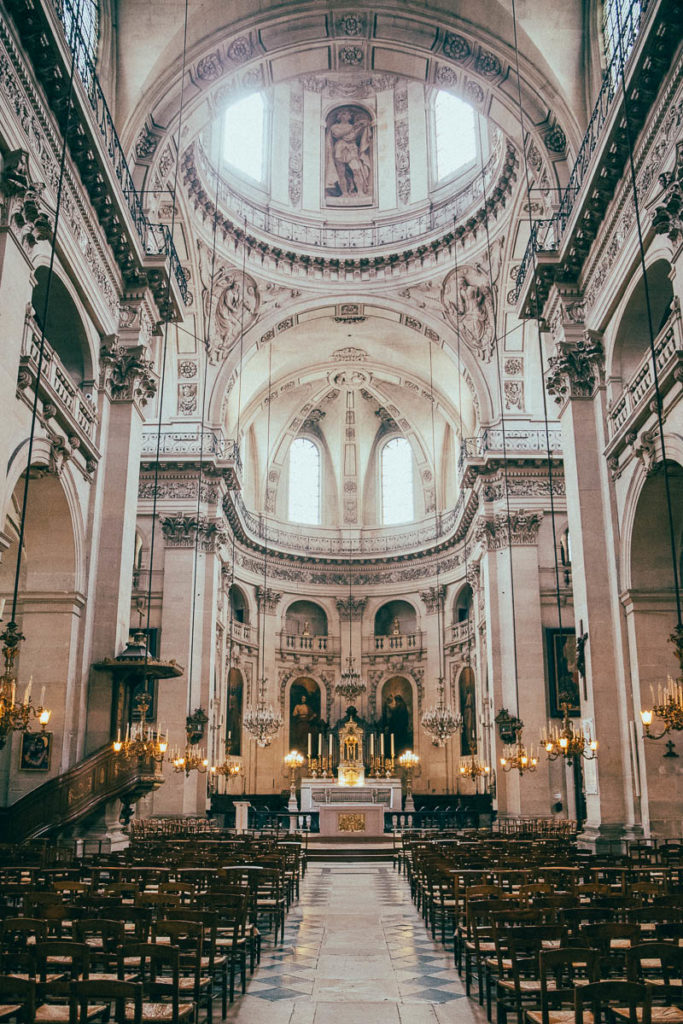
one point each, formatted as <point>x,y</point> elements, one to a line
<point>349,157</point>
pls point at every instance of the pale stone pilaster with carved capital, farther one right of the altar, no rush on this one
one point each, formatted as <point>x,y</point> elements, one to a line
<point>516,656</point>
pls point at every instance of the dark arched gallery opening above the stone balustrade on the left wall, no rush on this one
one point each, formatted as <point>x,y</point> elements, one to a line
<point>64,325</point>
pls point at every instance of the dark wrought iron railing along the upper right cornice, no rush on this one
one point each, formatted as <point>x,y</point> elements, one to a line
<point>547,235</point>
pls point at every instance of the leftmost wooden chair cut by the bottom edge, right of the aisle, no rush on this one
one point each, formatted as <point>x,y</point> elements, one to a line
<point>561,972</point>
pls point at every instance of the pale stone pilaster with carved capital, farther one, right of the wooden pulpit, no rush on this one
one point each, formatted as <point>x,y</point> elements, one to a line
<point>192,578</point>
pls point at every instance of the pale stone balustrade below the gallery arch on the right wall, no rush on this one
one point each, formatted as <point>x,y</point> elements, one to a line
<point>637,394</point>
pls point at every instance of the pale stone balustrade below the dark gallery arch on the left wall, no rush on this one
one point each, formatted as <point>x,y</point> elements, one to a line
<point>61,396</point>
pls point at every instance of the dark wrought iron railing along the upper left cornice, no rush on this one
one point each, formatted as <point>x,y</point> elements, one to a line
<point>156,240</point>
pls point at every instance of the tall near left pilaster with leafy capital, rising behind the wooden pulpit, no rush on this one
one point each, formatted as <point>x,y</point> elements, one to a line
<point>126,386</point>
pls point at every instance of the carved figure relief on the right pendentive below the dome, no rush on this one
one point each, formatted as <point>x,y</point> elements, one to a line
<point>469,300</point>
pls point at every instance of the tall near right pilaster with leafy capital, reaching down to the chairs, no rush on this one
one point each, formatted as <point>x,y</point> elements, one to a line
<point>576,380</point>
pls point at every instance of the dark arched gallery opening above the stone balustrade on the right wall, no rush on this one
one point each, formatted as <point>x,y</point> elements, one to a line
<point>631,336</point>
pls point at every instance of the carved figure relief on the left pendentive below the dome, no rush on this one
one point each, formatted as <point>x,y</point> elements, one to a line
<point>230,301</point>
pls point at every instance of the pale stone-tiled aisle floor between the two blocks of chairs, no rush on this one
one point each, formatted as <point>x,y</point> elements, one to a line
<point>356,952</point>
